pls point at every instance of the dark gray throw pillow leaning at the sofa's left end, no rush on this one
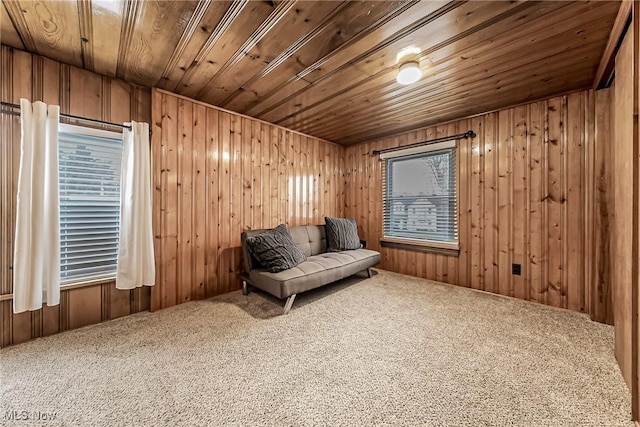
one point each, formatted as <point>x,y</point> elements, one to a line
<point>275,249</point>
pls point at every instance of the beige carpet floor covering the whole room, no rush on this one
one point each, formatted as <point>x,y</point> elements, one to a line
<point>391,350</point>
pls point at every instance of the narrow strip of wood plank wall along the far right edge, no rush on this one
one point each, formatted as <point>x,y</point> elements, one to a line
<point>625,202</point>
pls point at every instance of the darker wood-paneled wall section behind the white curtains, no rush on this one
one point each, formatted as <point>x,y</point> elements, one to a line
<point>81,93</point>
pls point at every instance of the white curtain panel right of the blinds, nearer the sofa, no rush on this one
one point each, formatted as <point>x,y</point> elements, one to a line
<point>136,266</point>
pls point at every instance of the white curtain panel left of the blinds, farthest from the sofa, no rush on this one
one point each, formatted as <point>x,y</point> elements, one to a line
<point>36,256</point>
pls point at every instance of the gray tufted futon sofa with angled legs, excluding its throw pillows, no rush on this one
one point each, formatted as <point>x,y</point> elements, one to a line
<point>320,268</point>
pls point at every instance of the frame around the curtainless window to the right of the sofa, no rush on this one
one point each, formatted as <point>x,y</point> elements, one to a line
<point>422,245</point>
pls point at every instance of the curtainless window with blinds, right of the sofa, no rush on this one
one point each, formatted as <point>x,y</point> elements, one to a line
<point>420,206</point>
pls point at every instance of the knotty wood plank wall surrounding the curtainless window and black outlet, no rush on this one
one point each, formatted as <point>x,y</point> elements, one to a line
<point>526,196</point>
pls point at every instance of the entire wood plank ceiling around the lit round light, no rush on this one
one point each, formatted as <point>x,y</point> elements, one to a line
<point>327,68</point>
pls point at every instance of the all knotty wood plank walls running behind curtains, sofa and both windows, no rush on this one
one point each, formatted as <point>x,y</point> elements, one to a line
<point>534,189</point>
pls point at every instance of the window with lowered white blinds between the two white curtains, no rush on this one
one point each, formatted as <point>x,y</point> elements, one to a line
<point>89,165</point>
